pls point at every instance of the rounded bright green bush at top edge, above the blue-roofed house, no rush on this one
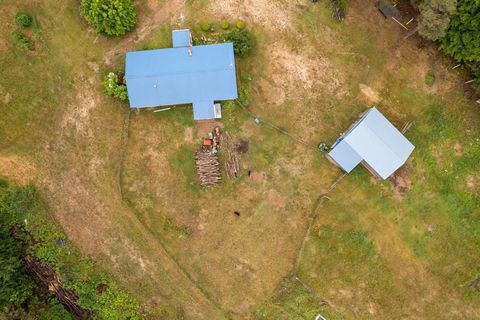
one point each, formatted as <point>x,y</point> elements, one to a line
<point>110,17</point>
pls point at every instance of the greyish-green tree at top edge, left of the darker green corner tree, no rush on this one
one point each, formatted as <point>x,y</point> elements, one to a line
<point>435,17</point>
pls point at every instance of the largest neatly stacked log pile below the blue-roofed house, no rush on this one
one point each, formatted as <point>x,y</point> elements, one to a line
<point>208,168</point>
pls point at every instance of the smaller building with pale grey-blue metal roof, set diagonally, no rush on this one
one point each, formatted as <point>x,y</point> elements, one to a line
<point>374,142</point>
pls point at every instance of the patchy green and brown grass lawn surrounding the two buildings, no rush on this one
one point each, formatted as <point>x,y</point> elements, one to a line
<point>123,185</point>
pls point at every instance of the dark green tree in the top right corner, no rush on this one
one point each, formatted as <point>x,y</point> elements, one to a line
<point>462,39</point>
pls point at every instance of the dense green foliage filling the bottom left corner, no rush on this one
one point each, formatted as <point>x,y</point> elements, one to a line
<point>25,232</point>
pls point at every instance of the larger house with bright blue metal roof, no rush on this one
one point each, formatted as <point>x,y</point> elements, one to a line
<point>183,74</point>
